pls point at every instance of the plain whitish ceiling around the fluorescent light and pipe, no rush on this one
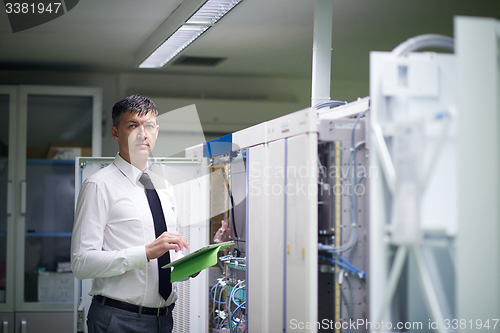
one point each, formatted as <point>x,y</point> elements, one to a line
<point>271,38</point>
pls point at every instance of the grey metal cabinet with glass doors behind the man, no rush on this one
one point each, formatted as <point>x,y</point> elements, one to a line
<point>37,202</point>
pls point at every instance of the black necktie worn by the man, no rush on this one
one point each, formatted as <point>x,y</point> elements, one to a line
<point>165,286</point>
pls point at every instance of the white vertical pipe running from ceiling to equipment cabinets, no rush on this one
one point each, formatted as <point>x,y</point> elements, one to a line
<point>322,51</point>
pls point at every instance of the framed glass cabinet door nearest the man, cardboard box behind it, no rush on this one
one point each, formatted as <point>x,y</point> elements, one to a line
<point>56,124</point>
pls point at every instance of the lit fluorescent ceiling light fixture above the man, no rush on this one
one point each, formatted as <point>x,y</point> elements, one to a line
<point>205,17</point>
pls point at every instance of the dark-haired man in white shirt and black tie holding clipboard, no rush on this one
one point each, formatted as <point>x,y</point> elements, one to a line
<point>117,235</point>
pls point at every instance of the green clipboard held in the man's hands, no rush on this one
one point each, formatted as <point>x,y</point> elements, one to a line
<point>196,261</point>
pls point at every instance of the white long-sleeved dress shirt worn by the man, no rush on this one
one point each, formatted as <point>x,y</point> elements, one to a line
<point>113,224</point>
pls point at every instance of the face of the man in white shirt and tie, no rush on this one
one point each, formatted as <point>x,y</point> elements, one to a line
<point>136,135</point>
